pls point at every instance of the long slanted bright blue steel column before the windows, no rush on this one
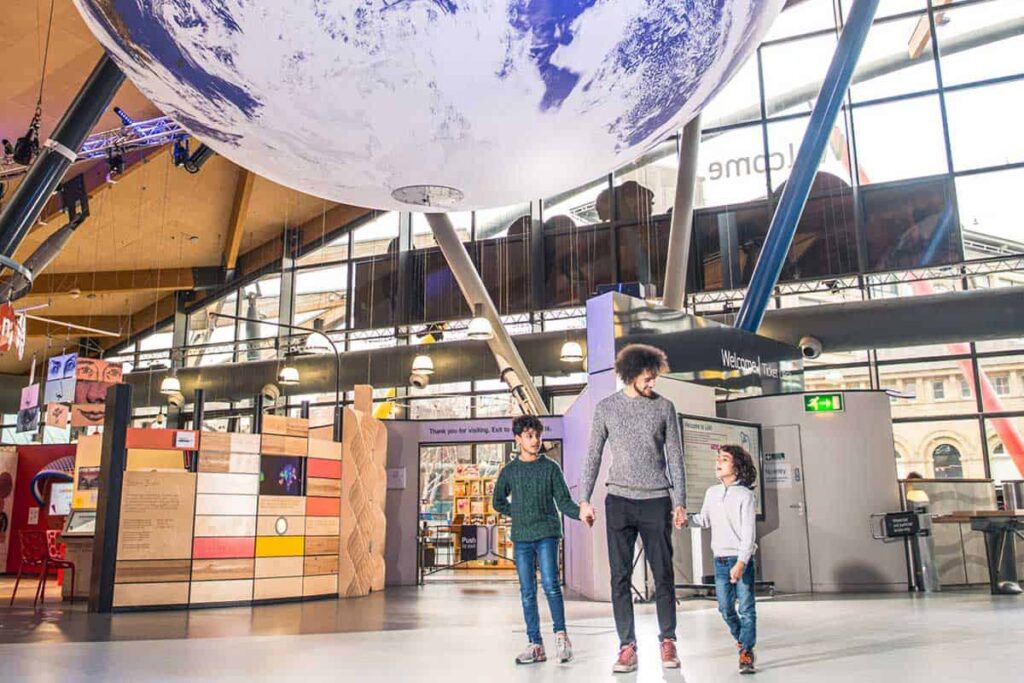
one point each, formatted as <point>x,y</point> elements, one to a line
<point>791,206</point>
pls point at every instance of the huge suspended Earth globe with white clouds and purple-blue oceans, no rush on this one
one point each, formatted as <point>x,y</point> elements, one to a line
<point>420,104</point>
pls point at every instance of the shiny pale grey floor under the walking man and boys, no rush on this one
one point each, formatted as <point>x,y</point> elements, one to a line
<point>471,633</point>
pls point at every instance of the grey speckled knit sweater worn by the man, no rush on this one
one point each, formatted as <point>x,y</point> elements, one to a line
<point>647,451</point>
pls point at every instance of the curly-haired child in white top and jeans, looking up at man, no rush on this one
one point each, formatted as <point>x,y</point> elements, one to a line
<point>730,511</point>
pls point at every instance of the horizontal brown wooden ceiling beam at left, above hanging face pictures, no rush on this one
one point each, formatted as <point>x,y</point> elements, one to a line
<point>115,282</point>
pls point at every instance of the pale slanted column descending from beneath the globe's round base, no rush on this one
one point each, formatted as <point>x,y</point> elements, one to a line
<point>510,366</point>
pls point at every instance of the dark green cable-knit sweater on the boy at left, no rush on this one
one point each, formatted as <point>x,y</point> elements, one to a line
<point>536,488</point>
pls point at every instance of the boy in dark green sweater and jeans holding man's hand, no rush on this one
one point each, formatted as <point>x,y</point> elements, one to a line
<point>536,486</point>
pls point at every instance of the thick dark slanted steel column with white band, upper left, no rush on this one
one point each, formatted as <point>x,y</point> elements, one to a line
<point>58,154</point>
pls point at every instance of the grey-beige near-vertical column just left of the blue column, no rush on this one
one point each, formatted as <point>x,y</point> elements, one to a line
<point>681,230</point>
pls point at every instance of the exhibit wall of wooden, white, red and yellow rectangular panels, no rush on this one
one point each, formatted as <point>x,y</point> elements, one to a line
<point>261,519</point>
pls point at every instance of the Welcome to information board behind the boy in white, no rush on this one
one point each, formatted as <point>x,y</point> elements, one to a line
<point>702,440</point>
